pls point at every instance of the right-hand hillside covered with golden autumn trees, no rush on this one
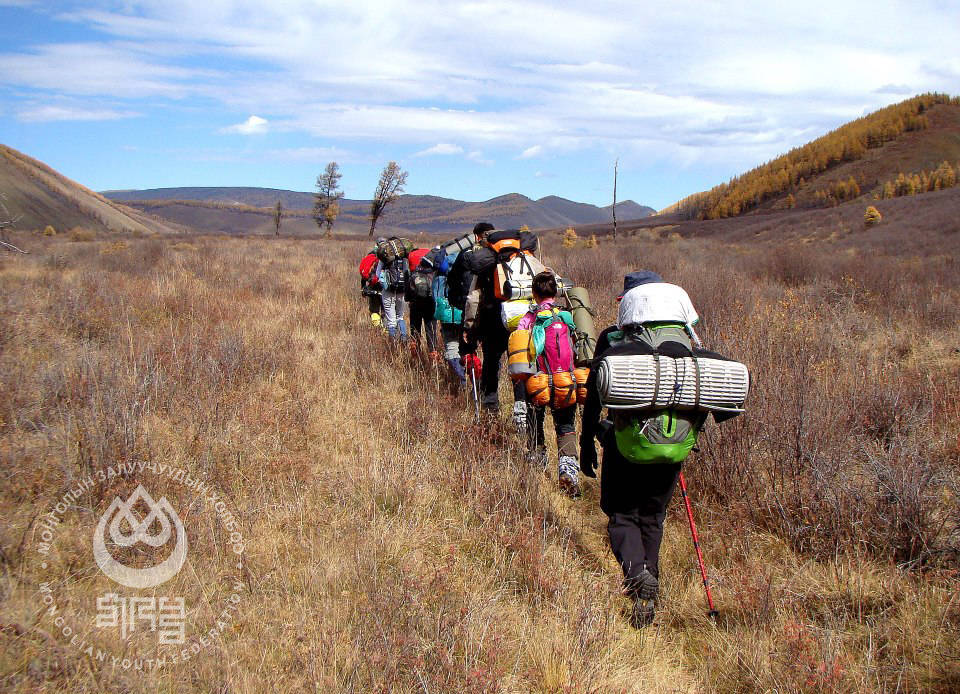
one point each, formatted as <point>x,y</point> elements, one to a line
<point>851,162</point>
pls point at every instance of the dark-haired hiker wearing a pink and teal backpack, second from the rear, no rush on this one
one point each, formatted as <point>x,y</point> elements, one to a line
<point>556,357</point>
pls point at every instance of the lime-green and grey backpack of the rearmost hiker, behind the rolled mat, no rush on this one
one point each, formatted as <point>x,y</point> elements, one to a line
<point>659,436</point>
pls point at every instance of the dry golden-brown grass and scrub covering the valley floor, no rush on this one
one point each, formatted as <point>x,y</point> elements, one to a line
<point>394,546</point>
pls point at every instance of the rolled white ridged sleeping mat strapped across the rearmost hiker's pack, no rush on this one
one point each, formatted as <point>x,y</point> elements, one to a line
<point>653,381</point>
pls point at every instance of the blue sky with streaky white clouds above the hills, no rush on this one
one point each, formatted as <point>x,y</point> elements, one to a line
<point>474,99</point>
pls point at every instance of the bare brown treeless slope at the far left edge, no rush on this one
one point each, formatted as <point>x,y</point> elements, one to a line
<point>39,196</point>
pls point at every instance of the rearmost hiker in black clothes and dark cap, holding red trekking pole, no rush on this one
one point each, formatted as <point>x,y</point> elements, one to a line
<point>635,495</point>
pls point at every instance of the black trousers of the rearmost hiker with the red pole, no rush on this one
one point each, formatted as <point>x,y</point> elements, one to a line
<point>635,498</point>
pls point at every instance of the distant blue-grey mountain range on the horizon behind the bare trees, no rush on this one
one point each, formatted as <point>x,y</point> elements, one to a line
<point>249,210</point>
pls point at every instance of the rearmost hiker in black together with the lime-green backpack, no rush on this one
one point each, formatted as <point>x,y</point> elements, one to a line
<point>642,448</point>
